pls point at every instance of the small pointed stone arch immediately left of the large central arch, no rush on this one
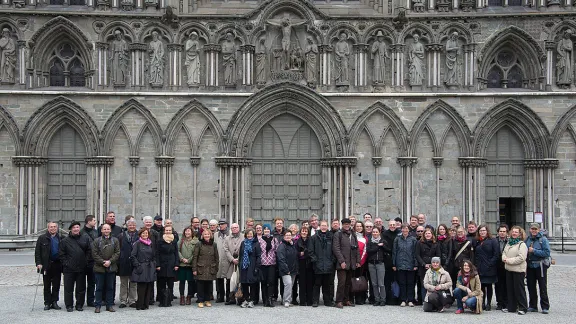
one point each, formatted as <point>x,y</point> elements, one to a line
<point>176,124</point>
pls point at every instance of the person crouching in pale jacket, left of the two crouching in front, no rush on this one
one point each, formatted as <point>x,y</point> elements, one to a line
<point>438,286</point>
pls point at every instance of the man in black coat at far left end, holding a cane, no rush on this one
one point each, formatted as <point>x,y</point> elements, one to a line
<point>48,262</point>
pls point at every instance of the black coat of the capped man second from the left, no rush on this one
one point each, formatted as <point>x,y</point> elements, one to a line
<point>74,252</point>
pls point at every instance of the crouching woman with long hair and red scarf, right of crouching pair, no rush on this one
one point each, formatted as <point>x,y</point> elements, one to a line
<point>468,292</point>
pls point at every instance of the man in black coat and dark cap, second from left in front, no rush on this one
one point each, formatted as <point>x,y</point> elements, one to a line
<point>74,251</point>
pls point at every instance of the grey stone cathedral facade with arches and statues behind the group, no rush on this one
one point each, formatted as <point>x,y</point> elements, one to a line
<point>286,108</point>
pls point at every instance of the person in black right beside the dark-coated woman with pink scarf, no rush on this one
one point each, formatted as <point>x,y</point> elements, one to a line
<point>167,262</point>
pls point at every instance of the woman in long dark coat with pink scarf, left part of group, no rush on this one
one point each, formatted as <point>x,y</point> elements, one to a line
<point>143,268</point>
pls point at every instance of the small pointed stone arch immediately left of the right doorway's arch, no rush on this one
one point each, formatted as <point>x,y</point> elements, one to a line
<point>457,123</point>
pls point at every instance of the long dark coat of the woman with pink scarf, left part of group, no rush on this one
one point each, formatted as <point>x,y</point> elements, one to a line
<point>143,259</point>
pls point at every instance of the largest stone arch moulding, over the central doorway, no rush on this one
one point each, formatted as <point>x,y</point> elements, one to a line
<point>284,98</point>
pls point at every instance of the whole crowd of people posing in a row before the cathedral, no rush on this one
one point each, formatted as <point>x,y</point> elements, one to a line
<point>404,264</point>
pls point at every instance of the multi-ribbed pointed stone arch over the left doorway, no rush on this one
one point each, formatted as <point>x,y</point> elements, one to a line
<point>49,118</point>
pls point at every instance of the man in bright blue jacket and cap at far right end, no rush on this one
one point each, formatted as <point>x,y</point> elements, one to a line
<point>536,272</point>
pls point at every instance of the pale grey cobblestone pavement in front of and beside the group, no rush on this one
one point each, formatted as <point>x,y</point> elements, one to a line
<point>17,288</point>
